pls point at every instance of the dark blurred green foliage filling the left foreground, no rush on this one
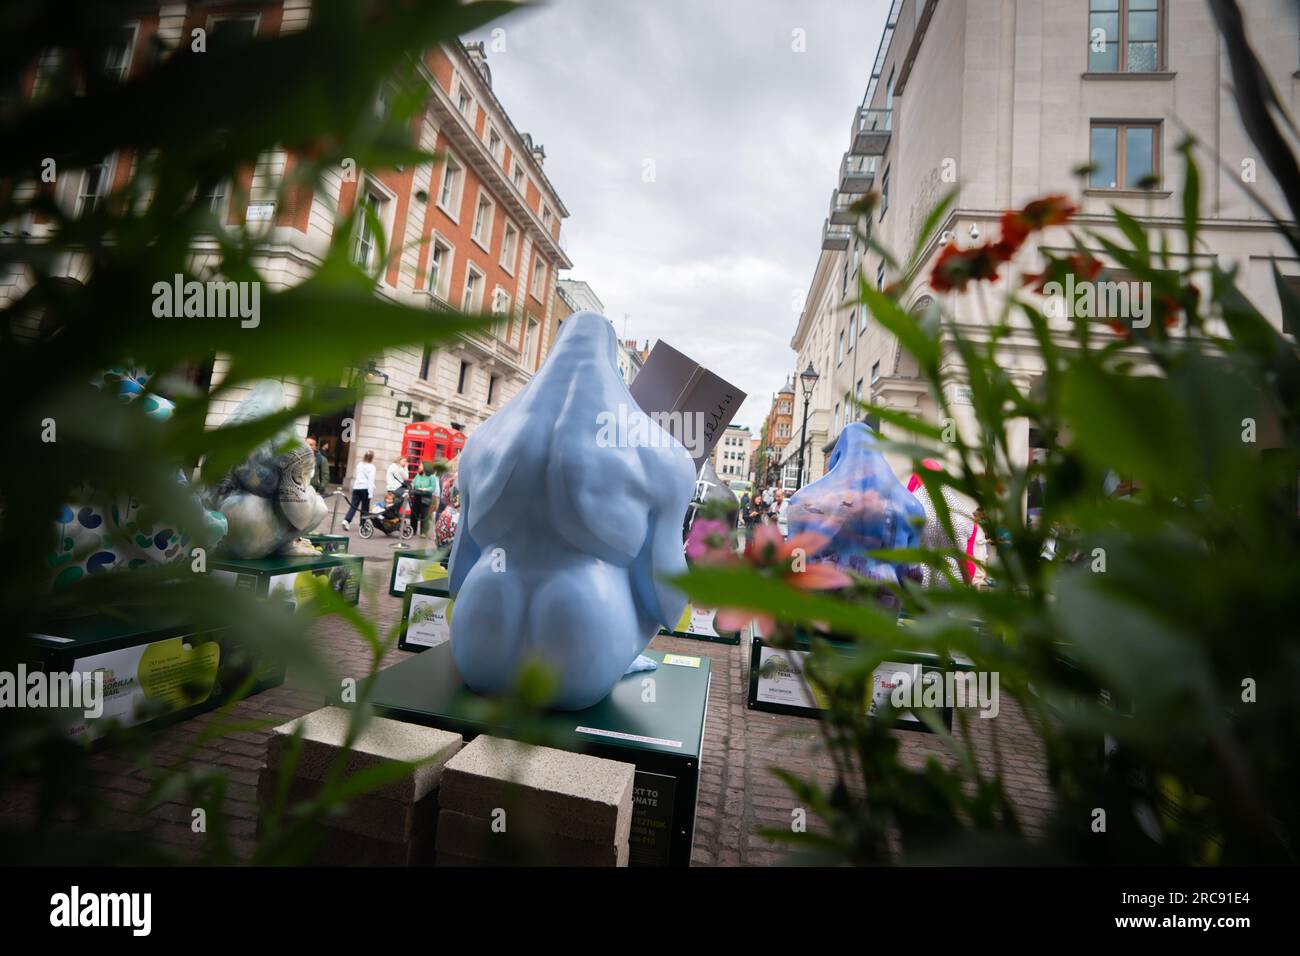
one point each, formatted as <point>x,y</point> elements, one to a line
<point>188,123</point>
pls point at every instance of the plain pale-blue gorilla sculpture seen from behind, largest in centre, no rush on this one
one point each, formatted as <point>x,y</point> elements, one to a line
<point>570,516</point>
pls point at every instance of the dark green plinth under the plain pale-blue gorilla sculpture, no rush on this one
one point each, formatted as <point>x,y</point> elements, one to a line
<point>657,726</point>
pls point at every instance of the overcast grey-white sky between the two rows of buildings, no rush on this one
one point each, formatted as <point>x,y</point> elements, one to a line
<point>746,139</point>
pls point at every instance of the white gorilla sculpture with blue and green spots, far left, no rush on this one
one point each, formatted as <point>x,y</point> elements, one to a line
<point>115,533</point>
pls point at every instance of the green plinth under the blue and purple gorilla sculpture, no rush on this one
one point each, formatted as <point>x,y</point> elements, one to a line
<point>777,681</point>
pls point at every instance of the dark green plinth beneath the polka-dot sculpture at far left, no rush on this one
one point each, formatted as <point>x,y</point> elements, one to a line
<point>158,669</point>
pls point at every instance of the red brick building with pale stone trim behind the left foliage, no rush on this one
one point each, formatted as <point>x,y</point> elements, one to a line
<point>478,231</point>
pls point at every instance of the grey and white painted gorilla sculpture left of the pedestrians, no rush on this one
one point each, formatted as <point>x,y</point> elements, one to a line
<point>268,499</point>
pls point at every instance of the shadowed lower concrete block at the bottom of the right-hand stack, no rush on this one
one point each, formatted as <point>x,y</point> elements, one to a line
<point>473,838</point>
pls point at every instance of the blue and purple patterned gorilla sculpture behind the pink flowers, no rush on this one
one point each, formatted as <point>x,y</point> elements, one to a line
<point>859,507</point>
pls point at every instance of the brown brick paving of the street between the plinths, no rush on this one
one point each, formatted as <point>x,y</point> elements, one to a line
<point>738,793</point>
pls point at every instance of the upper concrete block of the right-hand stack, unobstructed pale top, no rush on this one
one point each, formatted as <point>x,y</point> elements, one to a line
<point>541,789</point>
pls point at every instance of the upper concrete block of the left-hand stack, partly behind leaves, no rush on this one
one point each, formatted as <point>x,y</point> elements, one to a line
<point>383,742</point>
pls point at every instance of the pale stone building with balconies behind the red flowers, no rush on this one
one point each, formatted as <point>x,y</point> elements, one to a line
<point>1013,102</point>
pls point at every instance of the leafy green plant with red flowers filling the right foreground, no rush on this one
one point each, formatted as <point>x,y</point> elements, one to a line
<point>1149,639</point>
